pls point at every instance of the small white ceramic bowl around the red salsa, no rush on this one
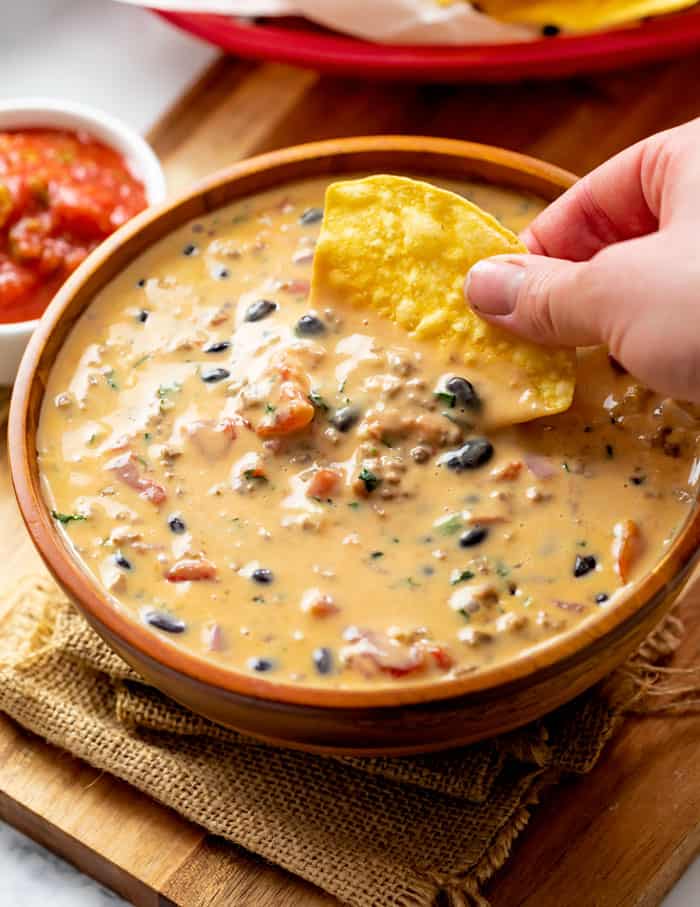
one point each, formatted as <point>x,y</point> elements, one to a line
<point>27,113</point>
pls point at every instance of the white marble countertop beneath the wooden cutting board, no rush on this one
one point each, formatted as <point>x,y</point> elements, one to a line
<point>131,64</point>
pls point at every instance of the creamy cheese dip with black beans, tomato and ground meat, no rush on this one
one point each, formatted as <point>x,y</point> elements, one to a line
<point>314,496</point>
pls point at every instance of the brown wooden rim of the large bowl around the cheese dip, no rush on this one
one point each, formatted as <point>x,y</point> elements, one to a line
<point>564,651</point>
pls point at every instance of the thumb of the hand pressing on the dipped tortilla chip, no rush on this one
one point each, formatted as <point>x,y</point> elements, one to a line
<point>547,300</point>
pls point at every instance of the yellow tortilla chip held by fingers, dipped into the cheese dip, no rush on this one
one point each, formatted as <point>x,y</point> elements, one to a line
<point>404,247</point>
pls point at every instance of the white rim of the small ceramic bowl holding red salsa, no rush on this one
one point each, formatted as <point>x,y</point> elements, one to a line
<point>46,112</point>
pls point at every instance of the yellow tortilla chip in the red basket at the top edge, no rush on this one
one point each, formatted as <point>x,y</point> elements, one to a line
<point>579,15</point>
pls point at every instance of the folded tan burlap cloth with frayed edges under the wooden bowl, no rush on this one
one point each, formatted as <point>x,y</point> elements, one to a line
<point>373,832</point>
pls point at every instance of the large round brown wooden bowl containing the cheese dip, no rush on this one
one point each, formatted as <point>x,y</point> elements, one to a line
<point>395,721</point>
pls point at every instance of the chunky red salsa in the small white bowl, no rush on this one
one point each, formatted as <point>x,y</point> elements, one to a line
<point>61,193</point>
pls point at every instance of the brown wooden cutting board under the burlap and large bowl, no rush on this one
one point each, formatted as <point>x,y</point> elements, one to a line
<point>619,837</point>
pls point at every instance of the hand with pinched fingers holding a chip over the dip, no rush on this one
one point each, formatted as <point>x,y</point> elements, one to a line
<point>622,265</point>
